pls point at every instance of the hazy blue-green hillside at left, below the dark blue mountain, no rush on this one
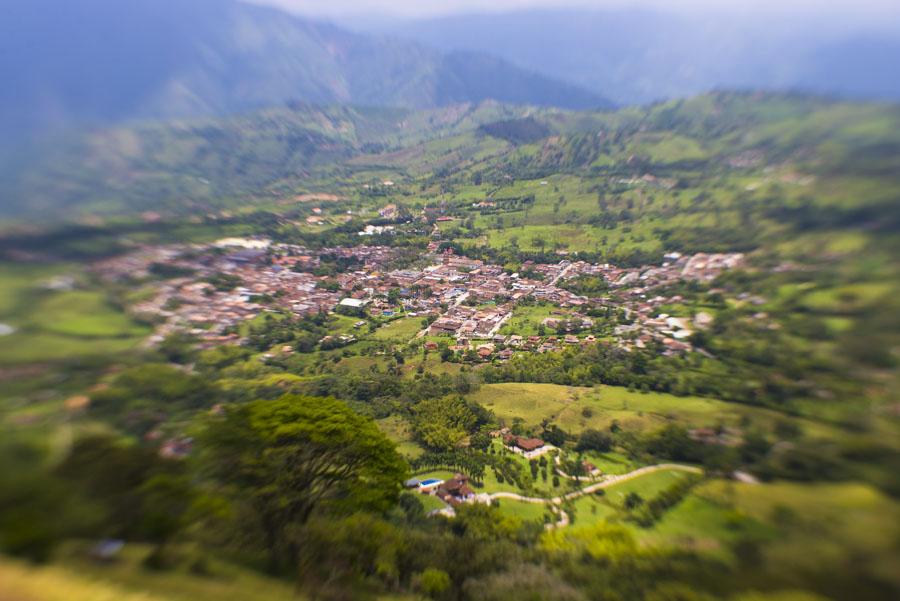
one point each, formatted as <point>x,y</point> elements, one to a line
<point>199,164</point>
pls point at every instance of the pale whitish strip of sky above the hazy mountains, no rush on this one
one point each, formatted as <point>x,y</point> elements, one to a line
<point>864,9</point>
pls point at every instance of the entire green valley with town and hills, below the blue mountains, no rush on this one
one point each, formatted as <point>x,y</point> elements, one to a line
<point>590,350</point>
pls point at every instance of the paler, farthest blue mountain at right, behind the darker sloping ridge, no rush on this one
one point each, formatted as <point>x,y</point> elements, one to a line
<point>637,56</point>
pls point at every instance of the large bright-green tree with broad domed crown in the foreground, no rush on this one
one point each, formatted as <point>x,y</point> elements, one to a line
<point>293,456</point>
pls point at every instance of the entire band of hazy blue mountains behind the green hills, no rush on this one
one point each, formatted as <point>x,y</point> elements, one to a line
<point>88,62</point>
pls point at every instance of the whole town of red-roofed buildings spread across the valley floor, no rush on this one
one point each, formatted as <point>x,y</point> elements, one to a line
<point>209,290</point>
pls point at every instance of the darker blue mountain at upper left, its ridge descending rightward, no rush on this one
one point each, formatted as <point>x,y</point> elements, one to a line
<point>93,62</point>
